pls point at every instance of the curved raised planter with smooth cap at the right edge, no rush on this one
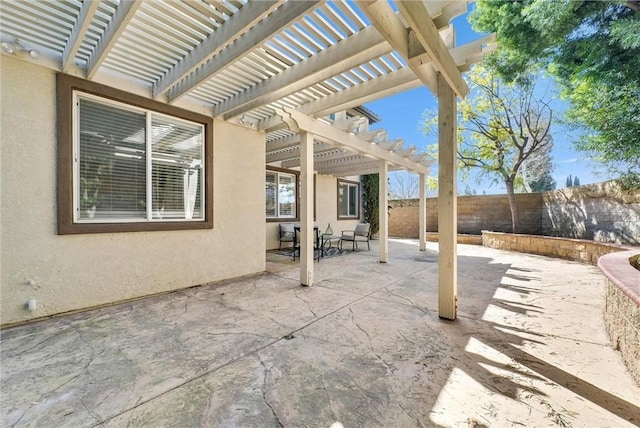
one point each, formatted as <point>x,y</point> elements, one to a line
<point>622,307</point>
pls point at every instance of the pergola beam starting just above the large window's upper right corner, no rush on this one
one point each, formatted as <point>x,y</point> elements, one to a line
<point>344,55</point>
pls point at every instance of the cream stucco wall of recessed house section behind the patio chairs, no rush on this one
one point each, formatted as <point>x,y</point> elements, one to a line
<point>326,211</point>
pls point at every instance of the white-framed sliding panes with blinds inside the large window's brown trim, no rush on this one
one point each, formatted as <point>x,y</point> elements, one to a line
<point>133,165</point>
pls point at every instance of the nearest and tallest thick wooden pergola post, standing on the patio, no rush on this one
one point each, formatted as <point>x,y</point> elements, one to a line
<point>447,203</point>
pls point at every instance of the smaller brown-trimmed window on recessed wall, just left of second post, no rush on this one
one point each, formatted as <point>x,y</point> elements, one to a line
<point>281,195</point>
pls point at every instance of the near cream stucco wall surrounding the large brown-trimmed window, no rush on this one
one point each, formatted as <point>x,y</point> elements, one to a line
<point>78,271</point>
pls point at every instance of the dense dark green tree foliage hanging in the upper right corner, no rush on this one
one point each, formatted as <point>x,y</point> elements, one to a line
<point>592,48</point>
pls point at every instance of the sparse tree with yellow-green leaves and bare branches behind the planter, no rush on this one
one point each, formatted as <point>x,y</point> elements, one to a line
<point>501,126</point>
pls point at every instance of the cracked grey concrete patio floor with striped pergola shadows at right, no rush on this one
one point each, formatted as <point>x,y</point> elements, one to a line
<point>363,347</point>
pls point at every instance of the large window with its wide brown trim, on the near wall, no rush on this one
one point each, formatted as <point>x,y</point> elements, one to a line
<point>128,163</point>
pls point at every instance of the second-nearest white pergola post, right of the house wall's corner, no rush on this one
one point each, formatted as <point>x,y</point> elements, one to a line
<point>306,209</point>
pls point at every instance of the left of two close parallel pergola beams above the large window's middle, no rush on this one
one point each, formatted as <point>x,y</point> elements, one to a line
<point>234,27</point>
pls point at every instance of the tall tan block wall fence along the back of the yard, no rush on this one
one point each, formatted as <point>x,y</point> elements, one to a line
<point>600,212</point>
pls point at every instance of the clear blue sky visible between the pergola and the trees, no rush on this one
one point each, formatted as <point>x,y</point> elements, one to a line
<point>401,116</point>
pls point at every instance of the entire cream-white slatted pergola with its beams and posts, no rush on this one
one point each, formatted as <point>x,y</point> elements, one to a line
<point>279,67</point>
